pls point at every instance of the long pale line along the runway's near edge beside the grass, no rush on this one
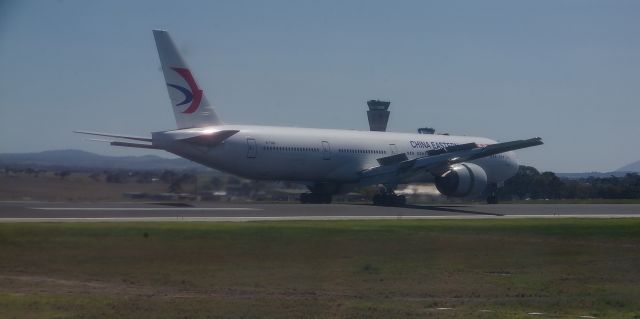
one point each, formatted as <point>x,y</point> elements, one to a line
<point>284,218</point>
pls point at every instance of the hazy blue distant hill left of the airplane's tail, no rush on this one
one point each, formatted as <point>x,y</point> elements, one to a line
<point>76,159</point>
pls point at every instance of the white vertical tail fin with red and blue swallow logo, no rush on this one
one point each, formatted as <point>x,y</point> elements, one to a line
<point>190,106</point>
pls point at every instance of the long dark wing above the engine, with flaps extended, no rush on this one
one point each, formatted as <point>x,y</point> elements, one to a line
<point>396,167</point>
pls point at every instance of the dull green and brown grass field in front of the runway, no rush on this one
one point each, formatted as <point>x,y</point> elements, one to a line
<point>345,269</point>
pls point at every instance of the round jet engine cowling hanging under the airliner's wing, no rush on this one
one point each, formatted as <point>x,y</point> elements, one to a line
<point>462,180</point>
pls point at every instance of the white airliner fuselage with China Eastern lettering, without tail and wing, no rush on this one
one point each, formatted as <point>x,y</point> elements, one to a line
<point>318,155</point>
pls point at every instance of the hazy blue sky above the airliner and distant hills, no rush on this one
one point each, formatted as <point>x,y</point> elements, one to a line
<point>568,71</point>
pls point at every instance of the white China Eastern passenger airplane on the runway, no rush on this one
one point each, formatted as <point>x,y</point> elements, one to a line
<point>327,161</point>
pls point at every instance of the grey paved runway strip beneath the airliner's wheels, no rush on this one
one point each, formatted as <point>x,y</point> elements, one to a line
<point>207,211</point>
